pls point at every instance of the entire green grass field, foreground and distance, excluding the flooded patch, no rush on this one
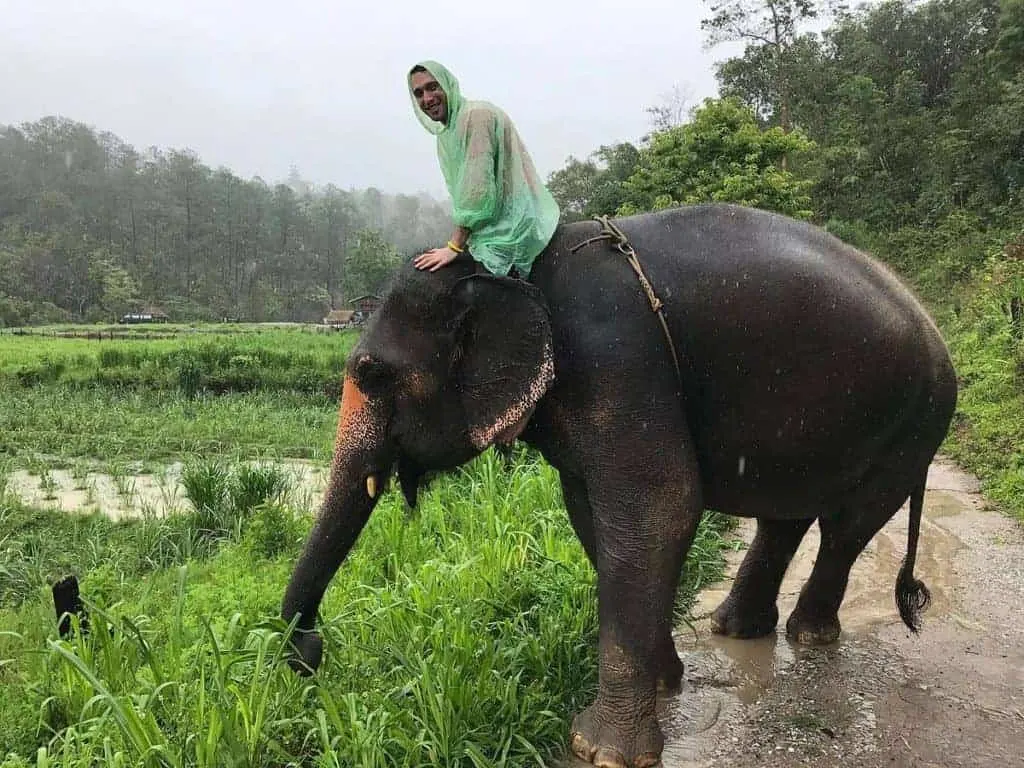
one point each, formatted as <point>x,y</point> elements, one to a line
<point>460,635</point>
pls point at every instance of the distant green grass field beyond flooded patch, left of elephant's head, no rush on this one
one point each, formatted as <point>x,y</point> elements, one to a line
<point>239,396</point>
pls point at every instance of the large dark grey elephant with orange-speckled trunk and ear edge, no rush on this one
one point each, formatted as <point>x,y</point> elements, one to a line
<point>815,389</point>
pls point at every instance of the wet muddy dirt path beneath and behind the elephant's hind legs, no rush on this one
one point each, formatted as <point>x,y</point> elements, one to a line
<point>953,696</point>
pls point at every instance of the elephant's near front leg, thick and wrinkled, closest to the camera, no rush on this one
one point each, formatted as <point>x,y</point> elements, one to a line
<point>645,516</point>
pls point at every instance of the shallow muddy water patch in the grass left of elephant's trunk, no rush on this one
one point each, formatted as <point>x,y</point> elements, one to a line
<point>130,493</point>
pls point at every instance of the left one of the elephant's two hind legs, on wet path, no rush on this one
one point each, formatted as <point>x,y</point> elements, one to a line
<point>751,611</point>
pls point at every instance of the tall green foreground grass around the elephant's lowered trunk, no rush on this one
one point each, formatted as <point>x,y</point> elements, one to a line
<point>460,635</point>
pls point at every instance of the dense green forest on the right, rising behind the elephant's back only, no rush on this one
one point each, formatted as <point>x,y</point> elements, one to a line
<point>901,127</point>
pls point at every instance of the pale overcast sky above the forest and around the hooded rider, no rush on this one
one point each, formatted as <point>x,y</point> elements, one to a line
<point>262,86</point>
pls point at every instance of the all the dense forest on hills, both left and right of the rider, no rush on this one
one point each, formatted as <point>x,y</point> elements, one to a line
<point>899,125</point>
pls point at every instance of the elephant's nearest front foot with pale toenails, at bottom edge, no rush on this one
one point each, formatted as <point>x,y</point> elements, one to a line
<point>596,740</point>
